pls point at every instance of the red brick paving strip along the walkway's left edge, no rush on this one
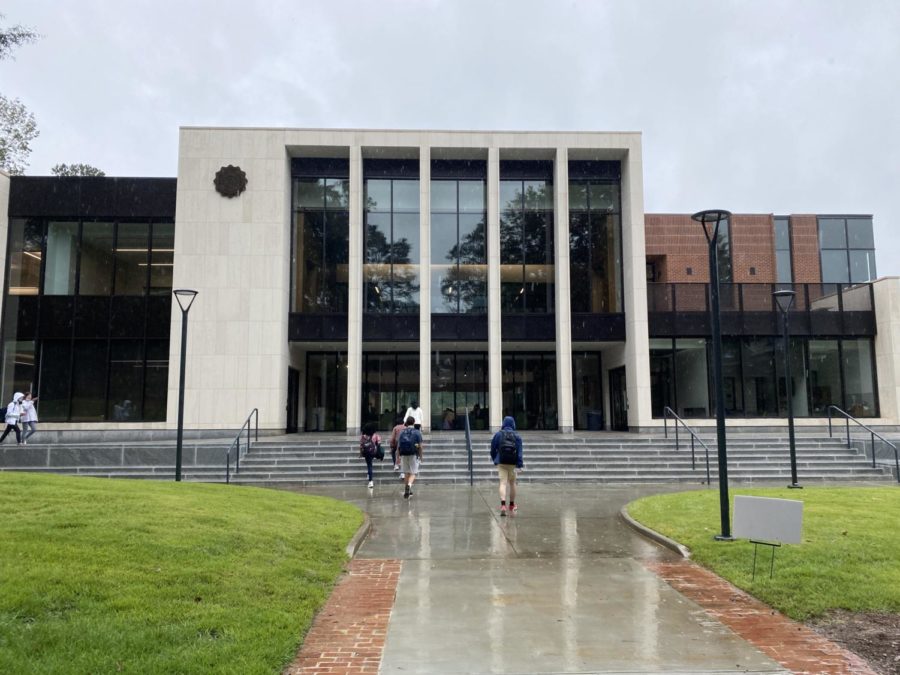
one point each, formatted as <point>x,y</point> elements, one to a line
<point>347,636</point>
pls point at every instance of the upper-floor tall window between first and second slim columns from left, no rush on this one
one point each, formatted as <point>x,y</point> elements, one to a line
<point>391,267</point>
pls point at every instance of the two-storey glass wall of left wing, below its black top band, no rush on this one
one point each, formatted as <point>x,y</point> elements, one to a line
<point>91,341</point>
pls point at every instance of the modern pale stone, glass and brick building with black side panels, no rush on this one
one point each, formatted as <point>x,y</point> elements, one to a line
<point>343,273</point>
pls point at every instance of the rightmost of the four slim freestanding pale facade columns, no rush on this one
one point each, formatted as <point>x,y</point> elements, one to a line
<point>562,295</point>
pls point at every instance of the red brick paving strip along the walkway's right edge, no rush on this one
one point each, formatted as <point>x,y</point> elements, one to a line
<point>791,644</point>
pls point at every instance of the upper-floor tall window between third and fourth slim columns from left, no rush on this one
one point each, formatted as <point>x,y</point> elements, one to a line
<point>526,244</point>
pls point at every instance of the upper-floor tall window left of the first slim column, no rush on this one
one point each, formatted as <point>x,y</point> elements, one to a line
<point>320,245</point>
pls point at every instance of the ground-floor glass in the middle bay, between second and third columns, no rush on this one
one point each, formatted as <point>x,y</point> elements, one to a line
<point>458,384</point>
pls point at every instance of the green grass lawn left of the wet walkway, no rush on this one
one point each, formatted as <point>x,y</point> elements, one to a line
<point>105,576</point>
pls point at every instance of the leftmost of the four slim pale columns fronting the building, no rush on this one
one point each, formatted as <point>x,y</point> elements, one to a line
<point>354,300</point>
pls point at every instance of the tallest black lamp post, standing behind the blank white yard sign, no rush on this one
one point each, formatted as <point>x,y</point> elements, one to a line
<point>711,221</point>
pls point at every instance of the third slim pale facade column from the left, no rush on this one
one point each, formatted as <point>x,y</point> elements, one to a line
<point>495,347</point>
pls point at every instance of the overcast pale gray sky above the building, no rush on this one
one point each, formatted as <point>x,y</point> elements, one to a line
<point>756,107</point>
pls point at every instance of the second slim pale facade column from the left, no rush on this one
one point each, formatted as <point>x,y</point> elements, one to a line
<point>425,284</point>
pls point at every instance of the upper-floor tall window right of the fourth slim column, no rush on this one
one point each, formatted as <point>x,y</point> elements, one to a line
<point>595,240</point>
